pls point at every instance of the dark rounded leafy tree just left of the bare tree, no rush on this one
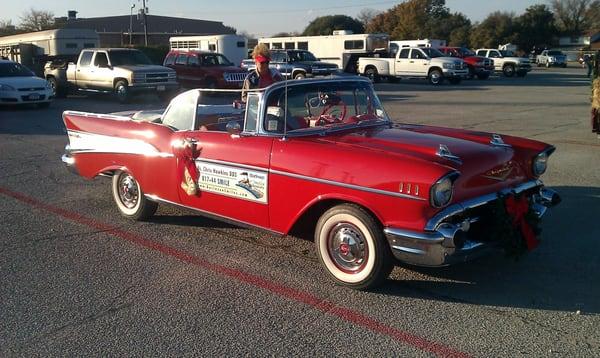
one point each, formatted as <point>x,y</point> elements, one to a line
<point>536,28</point>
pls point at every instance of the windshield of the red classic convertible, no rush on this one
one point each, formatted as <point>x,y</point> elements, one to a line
<point>322,106</point>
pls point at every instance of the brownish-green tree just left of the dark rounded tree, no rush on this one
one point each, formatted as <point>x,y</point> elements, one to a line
<point>498,28</point>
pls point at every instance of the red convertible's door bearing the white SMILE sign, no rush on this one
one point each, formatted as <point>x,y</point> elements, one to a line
<point>233,172</point>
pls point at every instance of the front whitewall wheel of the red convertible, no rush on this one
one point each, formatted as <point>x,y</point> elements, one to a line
<point>351,246</point>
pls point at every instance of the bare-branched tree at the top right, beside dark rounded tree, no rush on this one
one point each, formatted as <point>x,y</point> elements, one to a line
<point>571,15</point>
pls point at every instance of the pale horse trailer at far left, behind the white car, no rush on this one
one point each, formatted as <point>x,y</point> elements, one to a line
<point>33,49</point>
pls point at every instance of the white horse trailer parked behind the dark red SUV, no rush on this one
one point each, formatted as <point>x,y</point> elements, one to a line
<point>234,47</point>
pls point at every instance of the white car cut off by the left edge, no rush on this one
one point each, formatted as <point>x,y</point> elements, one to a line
<point>18,85</point>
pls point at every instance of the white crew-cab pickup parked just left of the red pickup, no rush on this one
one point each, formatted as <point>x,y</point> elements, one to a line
<point>415,62</point>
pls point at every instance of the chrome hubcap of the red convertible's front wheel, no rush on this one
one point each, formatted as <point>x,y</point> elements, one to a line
<point>347,247</point>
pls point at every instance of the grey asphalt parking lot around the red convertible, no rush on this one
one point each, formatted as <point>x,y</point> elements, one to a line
<point>78,279</point>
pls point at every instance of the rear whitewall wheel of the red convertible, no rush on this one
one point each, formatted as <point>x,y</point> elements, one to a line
<point>129,197</point>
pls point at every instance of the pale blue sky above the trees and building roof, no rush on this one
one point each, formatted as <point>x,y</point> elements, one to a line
<point>262,18</point>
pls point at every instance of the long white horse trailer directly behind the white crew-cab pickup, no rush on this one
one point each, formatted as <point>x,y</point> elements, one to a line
<point>342,48</point>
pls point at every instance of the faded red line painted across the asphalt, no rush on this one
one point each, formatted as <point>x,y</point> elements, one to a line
<point>257,281</point>
